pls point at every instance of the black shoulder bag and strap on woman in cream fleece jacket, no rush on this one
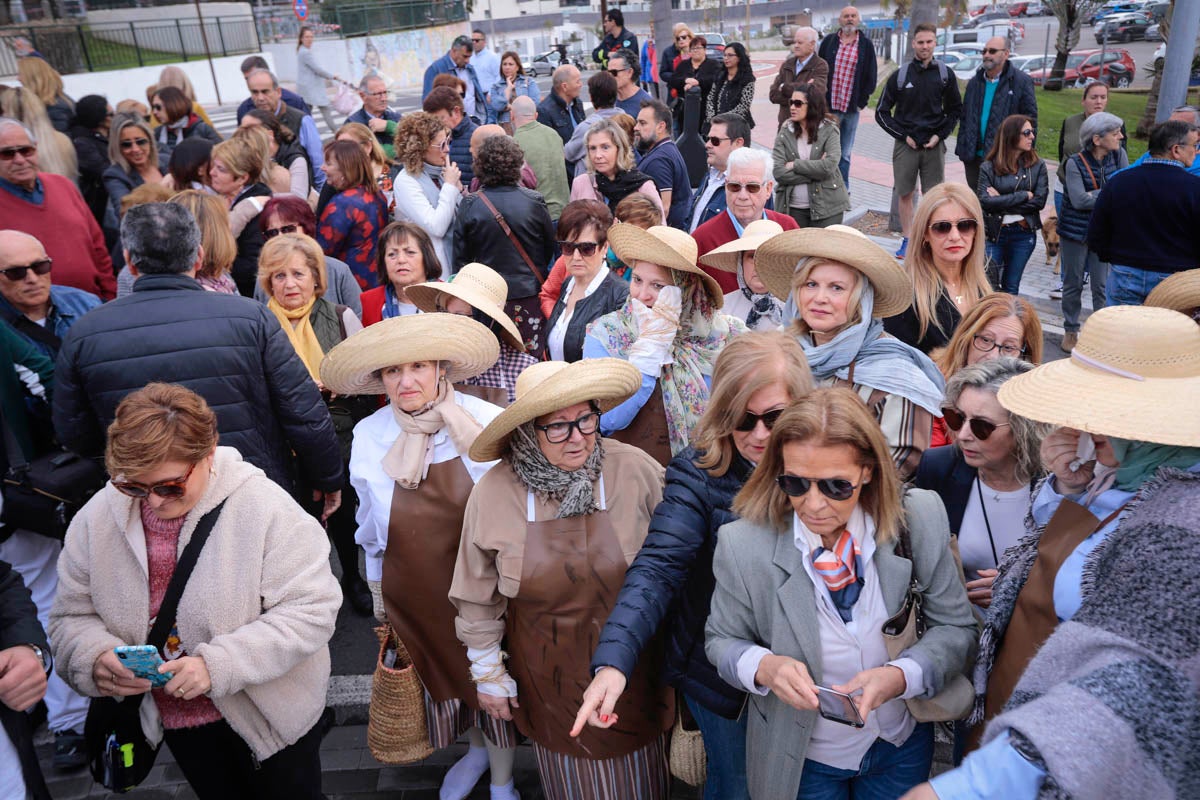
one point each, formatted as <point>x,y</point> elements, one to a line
<point>118,753</point>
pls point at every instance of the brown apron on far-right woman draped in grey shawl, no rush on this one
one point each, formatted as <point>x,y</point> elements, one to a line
<point>1034,616</point>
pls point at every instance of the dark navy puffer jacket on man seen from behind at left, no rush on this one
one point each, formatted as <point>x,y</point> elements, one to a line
<point>229,350</point>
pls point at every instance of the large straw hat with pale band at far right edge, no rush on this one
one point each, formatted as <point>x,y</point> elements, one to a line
<point>1135,375</point>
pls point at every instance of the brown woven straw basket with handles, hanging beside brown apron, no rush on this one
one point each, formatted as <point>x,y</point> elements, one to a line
<point>398,732</point>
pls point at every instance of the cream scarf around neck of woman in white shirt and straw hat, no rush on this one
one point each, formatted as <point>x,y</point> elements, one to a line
<point>409,460</point>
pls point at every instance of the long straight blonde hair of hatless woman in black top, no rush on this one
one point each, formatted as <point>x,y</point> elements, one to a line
<point>927,284</point>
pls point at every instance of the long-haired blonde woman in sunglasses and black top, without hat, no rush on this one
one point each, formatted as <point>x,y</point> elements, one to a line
<point>945,263</point>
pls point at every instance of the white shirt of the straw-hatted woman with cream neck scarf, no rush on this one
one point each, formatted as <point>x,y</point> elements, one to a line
<point>373,440</point>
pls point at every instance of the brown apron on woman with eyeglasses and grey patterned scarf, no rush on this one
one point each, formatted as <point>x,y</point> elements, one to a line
<point>571,579</point>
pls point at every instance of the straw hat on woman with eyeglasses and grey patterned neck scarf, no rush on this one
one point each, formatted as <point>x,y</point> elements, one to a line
<point>548,387</point>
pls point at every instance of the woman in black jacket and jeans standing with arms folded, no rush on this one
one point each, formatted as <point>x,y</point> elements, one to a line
<point>1013,190</point>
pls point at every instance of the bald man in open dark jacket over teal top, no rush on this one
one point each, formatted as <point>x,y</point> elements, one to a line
<point>997,91</point>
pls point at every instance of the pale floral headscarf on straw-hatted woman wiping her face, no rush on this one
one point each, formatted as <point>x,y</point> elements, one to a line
<point>703,335</point>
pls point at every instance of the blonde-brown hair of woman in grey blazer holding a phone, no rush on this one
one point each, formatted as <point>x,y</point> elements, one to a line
<point>826,417</point>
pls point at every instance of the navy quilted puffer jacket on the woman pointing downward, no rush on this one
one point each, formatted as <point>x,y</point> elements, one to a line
<point>673,576</point>
